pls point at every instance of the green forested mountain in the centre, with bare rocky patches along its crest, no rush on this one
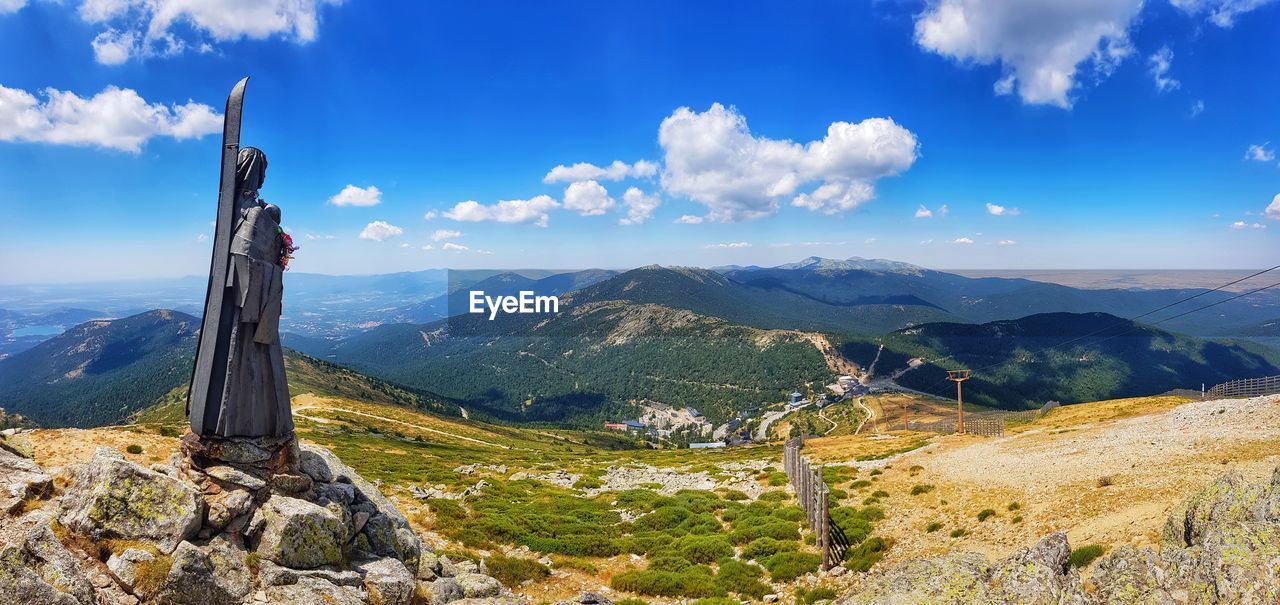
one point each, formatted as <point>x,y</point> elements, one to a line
<point>591,363</point>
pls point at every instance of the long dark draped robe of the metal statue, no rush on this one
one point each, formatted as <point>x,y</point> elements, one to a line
<point>254,397</point>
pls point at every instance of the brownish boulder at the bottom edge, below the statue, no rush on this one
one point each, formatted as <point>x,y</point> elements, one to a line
<point>214,575</point>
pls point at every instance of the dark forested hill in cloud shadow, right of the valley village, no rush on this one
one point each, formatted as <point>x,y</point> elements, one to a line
<point>1127,360</point>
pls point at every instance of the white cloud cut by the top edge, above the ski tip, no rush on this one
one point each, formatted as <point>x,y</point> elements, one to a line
<point>144,29</point>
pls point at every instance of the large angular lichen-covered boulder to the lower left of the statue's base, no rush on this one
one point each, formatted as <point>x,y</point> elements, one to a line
<point>113,498</point>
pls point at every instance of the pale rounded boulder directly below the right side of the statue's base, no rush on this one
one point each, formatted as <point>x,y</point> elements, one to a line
<point>299,534</point>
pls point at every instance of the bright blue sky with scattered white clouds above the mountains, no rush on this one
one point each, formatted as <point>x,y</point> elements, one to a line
<point>1057,134</point>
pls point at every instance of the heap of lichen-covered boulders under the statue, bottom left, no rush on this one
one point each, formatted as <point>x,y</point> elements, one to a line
<point>179,535</point>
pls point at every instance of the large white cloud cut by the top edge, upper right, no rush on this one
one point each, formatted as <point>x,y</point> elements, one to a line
<point>1040,45</point>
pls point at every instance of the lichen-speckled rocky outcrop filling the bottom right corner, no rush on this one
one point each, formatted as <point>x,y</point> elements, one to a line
<point>1220,547</point>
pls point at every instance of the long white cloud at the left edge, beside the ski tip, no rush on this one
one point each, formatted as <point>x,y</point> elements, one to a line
<point>116,118</point>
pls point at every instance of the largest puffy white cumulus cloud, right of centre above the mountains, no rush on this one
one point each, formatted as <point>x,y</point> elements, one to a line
<point>714,159</point>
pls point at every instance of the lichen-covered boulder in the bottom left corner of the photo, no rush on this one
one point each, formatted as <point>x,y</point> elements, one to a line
<point>36,569</point>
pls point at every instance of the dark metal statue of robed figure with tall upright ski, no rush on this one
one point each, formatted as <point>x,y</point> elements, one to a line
<point>239,387</point>
